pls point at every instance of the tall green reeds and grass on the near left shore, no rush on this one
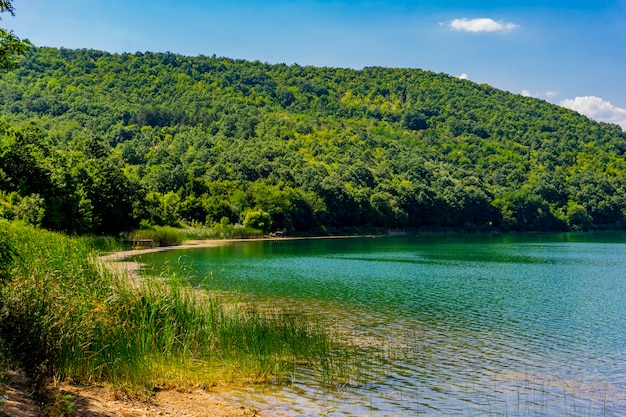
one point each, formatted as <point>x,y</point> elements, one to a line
<point>66,316</point>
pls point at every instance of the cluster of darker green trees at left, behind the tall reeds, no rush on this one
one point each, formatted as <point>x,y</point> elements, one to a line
<point>70,190</point>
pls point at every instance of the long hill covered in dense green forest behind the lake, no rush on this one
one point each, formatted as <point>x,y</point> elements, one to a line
<point>96,142</point>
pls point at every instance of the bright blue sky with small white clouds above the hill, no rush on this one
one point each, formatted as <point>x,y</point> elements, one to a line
<point>571,53</point>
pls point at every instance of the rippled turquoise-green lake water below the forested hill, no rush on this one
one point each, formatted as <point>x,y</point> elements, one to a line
<point>471,325</point>
